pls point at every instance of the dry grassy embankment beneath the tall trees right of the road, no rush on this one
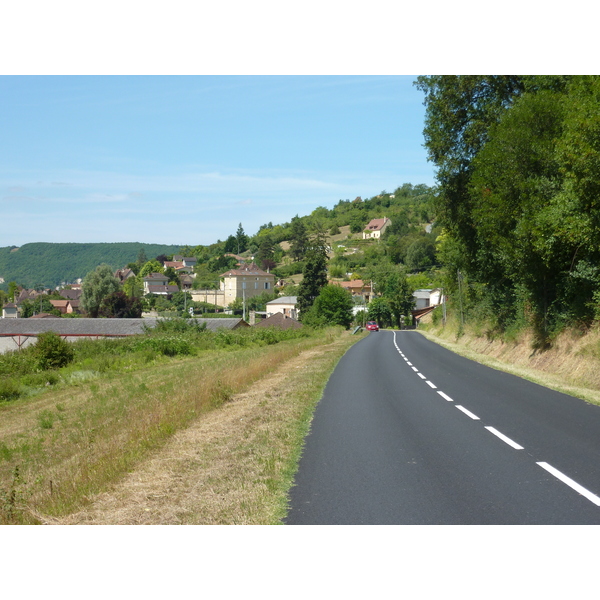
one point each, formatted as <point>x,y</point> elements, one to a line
<point>571,365</point>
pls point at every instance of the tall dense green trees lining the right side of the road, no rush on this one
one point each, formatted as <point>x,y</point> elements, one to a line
<point>518,162</point>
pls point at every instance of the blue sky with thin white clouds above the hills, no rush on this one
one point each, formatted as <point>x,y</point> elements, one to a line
<point>185,159</point>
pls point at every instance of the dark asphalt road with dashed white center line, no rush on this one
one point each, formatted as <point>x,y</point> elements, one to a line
<point>408,432</point>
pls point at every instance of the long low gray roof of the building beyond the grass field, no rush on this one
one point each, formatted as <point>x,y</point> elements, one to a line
<point>100,327</point>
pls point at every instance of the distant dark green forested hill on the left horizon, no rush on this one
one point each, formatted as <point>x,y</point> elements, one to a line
<point>49,265</point>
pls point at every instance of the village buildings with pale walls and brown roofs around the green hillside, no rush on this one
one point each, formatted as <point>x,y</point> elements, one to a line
<point>237,286</point>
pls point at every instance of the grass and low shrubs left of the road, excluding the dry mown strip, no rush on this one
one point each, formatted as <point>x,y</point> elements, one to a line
<point>79,427</point>
